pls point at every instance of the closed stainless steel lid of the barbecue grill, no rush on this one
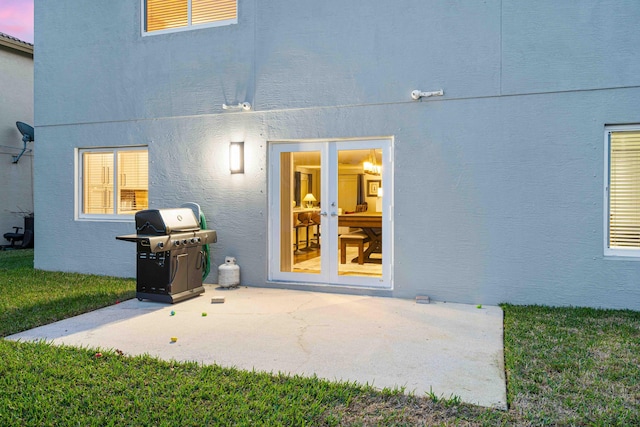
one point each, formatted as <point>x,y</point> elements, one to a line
<point>156,222</point>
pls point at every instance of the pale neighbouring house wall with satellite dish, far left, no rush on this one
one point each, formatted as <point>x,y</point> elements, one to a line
<point>16,95</point>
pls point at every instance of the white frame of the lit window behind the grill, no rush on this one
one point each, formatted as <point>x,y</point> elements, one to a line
<point>80,183</point>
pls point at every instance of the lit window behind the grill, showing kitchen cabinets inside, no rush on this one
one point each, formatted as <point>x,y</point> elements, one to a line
<point>113,181</point>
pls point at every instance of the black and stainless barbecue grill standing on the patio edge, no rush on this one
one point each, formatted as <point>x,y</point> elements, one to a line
<point>169,256</point>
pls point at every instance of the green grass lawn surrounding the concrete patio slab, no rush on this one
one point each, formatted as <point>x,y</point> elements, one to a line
<point>565,366</point>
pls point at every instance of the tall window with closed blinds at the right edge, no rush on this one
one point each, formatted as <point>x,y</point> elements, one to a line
<point>623,191</point>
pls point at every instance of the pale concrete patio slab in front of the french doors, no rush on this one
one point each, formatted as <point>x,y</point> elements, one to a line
<point>448,349</point>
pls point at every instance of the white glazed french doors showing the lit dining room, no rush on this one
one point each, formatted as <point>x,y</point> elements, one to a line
<point>331,212</point>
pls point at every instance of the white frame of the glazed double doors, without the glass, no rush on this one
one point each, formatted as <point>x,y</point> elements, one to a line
<point>328,149</point>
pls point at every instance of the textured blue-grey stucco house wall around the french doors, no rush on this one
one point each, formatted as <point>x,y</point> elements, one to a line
<point>498,185</point>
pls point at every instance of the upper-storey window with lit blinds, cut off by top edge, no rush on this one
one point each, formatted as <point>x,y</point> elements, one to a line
<point>161,16</point>
